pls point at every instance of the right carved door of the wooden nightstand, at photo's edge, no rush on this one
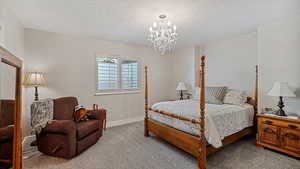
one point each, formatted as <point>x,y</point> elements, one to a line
<point>290,140</point>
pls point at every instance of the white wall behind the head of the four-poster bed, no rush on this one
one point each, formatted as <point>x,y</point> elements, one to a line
<point>226,61</point>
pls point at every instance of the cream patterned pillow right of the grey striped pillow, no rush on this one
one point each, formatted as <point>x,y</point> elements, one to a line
<point>236,97</point>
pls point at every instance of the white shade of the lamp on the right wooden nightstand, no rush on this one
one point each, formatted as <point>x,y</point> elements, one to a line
<point>281,89</point>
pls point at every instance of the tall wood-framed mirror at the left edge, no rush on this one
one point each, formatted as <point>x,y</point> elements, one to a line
<point>10,111</point>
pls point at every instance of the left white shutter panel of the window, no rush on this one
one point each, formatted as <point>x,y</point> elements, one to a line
<point>107,70</point>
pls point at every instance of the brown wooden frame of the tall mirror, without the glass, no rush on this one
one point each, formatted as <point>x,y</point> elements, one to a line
<point>12,60</point>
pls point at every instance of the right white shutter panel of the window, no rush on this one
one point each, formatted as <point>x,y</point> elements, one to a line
<point>129,74</point>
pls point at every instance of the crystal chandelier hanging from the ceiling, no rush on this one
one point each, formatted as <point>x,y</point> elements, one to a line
<point>163,35</point>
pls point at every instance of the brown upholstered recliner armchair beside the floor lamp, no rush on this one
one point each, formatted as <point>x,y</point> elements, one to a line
<point>66,138</point>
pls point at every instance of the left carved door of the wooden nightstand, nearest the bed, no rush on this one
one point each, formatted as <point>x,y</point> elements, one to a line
<point>269,134</point>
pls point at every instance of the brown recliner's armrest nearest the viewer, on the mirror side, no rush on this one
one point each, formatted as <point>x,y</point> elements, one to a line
<point>61,126</point>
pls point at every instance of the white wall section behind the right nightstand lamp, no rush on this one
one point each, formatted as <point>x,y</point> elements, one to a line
<point>279,59</point>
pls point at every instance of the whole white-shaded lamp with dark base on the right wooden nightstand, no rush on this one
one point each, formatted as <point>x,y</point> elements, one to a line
<point>281,89</point>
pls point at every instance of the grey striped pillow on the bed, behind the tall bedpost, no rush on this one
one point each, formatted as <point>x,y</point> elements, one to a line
<point>213,95</point>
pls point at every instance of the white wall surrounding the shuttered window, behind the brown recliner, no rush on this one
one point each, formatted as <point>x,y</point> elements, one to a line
<point>69,64</point>
